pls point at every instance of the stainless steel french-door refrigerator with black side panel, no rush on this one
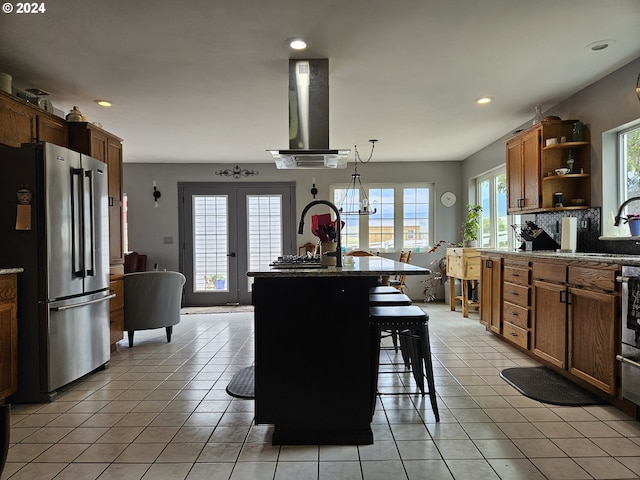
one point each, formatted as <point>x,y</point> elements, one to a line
<point>54,224</point>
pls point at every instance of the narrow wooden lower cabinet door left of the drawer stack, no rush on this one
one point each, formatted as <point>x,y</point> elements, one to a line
<point>491,292</point>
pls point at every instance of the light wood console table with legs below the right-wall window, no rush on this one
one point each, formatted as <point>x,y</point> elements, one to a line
<point>464,264</point>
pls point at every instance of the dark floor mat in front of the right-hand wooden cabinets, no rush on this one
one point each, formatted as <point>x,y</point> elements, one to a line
<point>547,386</point>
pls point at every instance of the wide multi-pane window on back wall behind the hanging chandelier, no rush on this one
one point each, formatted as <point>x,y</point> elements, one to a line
<point>396,225</point>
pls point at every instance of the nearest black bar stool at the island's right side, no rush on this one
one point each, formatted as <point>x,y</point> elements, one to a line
<point>413,323</point>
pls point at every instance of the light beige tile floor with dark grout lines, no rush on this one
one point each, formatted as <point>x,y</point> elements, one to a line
<point>161,412</point>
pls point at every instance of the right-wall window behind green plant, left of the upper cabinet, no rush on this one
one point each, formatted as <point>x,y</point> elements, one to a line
<point>492,196</point>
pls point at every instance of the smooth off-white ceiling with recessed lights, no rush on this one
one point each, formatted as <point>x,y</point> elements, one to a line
<point>206,81</point>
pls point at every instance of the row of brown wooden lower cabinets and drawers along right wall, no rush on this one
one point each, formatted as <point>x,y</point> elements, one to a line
<point>566,313</point>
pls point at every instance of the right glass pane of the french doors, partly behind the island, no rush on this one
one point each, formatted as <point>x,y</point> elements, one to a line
<point>264,230</point>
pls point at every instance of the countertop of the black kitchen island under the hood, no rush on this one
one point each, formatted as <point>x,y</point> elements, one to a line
<point>362,267</point>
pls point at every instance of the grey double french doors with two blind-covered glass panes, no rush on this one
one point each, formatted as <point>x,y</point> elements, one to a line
<point>227,230</point>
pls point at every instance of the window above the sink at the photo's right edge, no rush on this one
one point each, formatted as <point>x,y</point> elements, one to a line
<point>629,154</point>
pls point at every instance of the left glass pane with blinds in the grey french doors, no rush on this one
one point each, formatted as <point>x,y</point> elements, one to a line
<point>210,243</point>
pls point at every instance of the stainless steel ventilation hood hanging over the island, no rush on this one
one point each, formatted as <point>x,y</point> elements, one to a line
<point>309,119</point>
